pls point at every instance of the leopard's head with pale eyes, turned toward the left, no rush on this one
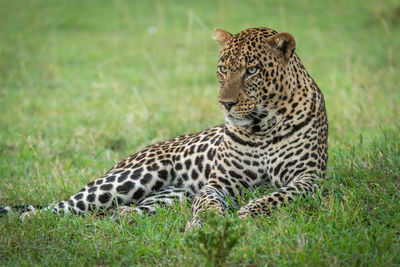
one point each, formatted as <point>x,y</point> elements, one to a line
<point>256,77</point>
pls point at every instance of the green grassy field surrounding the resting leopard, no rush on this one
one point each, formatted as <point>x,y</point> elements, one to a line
<point>84,83</point>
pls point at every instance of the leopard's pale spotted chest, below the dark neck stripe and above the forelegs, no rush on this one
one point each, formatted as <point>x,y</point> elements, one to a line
<point>267,163</point>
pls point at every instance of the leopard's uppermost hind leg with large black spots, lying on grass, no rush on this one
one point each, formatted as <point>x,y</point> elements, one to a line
<point>119,187</point>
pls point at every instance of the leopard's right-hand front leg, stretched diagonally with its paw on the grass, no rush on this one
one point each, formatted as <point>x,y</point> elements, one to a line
<point>263,205</point>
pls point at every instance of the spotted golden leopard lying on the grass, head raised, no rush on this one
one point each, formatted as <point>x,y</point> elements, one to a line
<point>275,134</point>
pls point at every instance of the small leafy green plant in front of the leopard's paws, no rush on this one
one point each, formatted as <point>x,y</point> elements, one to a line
<point>216,239</point>
